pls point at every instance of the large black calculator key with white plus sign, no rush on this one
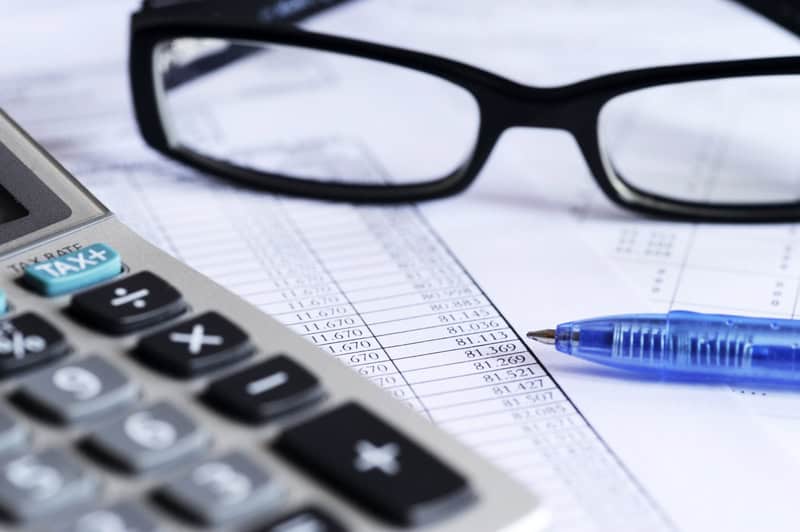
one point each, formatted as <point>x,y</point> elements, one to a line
<point>376,466</point>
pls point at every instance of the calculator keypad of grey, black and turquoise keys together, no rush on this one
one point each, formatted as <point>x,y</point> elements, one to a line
<point>119,424</point>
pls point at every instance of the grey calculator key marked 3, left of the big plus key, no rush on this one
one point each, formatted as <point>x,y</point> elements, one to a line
<point>224,490</point>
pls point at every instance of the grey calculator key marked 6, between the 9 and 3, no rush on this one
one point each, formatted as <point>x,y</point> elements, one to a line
<point>151,438</point>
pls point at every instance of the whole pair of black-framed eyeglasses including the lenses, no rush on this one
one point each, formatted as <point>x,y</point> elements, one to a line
<point>236,90</point>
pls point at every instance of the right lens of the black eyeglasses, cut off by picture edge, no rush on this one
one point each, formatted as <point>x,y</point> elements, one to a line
<point>730,141</point>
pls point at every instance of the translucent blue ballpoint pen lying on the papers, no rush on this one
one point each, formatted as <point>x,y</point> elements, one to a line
<point>685,343</point>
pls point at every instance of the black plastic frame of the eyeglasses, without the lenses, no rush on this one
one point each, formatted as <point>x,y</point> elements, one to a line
<point>502,104</point>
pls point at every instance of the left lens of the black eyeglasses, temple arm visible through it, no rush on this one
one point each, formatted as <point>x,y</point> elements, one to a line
<point>313,115</point>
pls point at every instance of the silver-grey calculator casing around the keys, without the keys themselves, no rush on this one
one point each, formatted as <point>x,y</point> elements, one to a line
<point>58,216</point>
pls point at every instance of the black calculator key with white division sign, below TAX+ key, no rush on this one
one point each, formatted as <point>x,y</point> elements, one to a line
<point>132,303</point>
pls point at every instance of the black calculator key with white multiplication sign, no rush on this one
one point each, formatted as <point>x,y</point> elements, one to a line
<point>200,344</point>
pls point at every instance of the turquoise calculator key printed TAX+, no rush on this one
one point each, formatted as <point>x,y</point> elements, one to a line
<point>79,269</point>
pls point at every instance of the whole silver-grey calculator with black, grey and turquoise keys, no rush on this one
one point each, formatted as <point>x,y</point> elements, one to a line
<point>140,396</point>
